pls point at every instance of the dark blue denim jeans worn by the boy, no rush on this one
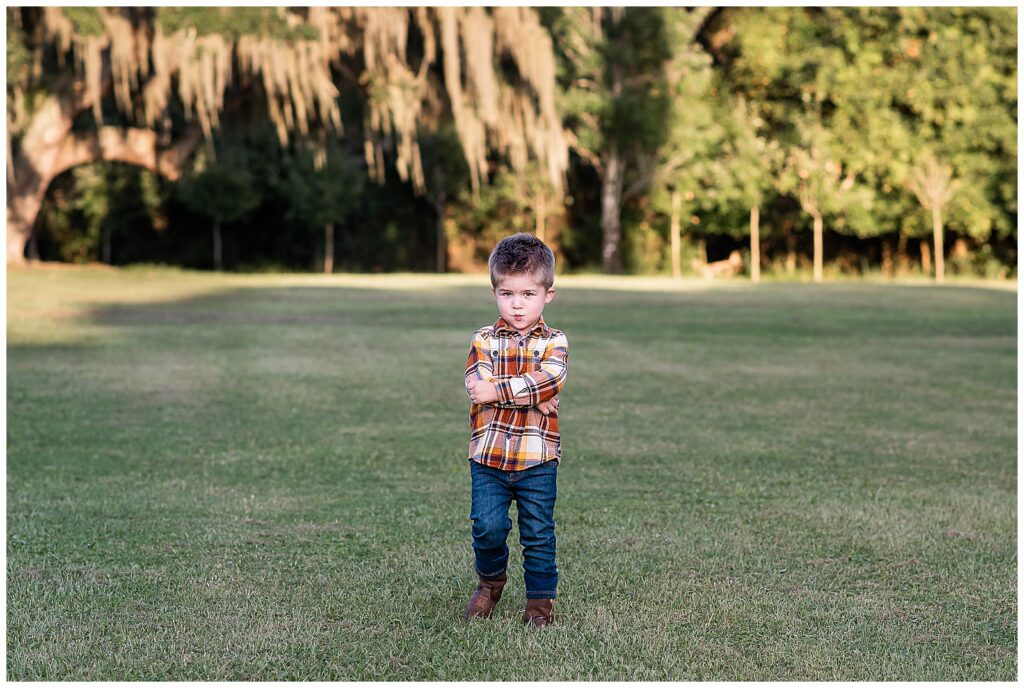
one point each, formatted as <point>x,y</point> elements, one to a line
<point>534,492</point>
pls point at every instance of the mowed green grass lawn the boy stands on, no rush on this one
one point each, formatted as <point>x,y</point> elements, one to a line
<point>234,478</point>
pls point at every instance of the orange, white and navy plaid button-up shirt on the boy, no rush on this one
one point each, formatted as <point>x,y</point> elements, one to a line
<point>511,435</point>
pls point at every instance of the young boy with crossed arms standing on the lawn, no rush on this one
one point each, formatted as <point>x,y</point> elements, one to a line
<point>516,370</point>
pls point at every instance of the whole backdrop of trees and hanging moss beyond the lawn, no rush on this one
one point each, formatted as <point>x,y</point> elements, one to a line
<point>607,131</point>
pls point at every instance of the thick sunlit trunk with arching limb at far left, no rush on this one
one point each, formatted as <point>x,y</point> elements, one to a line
<point>50,148</point>
